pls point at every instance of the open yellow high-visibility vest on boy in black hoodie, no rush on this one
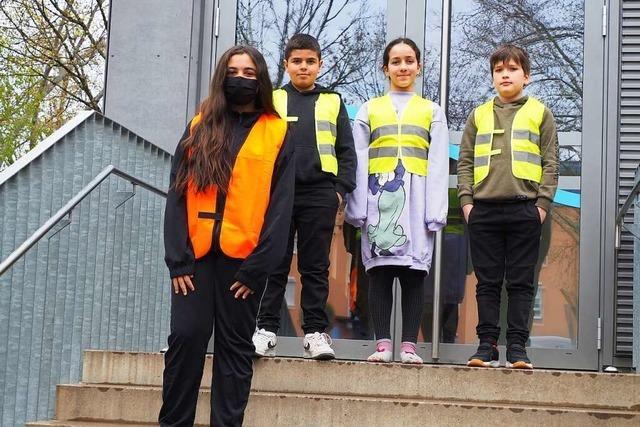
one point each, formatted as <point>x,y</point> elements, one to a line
<point>326,113</point>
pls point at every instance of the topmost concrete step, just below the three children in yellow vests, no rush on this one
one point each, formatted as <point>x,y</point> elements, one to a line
<point>433,382</point>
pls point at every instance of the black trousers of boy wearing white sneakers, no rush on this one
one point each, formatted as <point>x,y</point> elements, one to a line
<point>313,220</point>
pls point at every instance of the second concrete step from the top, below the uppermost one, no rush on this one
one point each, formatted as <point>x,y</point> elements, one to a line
<point>140,404</point>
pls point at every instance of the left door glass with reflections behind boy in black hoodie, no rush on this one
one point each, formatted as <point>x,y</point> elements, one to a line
<point>352,36</point>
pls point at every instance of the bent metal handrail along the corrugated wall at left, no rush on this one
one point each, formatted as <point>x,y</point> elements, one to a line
<point>53,220</point>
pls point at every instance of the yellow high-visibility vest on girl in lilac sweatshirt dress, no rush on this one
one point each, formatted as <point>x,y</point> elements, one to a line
<point>406,138</point>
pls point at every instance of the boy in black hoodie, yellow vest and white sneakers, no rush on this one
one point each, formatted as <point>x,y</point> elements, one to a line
<point>320,130</point>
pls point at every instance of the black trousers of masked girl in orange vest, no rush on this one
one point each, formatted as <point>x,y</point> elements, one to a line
<point>192,320</point>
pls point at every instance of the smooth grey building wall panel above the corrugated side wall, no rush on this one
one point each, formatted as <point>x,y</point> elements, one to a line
<point>153,66</point>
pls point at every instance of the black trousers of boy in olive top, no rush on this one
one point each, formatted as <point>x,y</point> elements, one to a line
<point>504,239</point>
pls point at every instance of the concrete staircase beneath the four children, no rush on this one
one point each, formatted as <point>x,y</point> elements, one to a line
<point>120,388</point>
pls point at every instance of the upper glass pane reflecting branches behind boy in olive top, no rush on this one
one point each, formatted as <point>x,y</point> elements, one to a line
<point>552,33</point>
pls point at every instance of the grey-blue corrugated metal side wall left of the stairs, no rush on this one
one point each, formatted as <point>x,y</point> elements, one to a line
<point>96,282</point>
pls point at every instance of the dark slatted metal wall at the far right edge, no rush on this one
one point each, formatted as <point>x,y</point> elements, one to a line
<point>629,160</point>
